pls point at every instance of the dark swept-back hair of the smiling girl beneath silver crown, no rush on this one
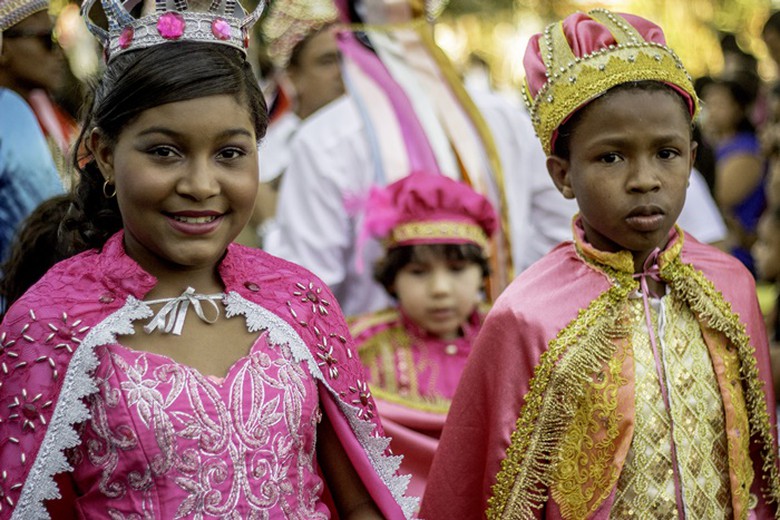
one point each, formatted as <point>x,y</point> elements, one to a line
<point>135,82</point>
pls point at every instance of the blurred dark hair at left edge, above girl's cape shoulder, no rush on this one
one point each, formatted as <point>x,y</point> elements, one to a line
<point>34,249</point>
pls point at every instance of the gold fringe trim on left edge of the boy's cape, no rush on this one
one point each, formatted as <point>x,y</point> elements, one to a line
<point>559,382</point>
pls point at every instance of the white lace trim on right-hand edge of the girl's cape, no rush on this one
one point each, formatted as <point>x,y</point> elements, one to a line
<point>281,332</point>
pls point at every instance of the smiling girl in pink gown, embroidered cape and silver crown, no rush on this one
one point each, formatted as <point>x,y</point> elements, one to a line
<point>162,371</point>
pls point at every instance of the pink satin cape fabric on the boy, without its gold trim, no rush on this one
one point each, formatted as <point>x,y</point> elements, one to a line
<point>529,314</point>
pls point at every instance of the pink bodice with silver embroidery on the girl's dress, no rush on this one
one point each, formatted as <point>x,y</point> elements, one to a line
<point>246,447</point>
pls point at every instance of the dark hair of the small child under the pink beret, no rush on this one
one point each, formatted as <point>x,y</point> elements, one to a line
<point>386,269</point>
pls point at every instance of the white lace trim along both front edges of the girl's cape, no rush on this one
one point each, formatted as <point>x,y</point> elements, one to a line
<point>70,411</point>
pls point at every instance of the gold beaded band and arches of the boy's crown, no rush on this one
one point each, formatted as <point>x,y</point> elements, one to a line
<point>572,82</point>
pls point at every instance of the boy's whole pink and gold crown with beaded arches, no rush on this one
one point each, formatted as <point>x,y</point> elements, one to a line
<point>578,59</point>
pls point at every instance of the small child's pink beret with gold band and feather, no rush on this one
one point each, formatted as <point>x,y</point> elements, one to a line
<point>425,208</point>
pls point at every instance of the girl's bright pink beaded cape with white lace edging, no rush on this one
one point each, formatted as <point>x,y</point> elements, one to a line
<point>49,336</point>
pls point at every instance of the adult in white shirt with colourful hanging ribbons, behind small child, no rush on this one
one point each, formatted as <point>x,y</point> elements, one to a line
<point>399,108</point>
